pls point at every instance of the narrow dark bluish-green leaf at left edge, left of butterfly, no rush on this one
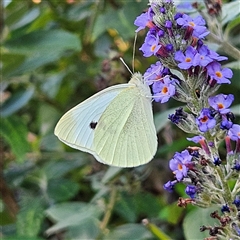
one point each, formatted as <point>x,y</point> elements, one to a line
<point>16,101</point>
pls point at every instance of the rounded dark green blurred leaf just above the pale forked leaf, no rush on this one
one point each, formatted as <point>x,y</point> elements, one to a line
<point>62,189</point>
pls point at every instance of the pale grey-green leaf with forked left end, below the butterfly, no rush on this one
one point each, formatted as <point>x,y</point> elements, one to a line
<point>71,214</point>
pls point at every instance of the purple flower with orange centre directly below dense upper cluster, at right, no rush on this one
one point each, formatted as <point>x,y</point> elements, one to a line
<point>221,102</point>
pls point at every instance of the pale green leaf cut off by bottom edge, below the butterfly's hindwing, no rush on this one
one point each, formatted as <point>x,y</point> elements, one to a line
<point>129,231</point>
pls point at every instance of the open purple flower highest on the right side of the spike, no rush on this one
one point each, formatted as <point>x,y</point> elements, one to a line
<point>197,24</point>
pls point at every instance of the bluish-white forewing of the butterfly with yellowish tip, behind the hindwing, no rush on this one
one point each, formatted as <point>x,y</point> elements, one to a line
<point>74,128</point>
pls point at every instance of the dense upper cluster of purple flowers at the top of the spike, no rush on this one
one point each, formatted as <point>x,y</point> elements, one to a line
<point>176,39</point>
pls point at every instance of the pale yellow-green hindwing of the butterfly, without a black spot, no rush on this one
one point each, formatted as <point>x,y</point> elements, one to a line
<point>125,135</point>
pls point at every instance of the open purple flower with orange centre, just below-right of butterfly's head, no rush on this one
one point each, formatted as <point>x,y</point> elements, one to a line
<point>163,90</point>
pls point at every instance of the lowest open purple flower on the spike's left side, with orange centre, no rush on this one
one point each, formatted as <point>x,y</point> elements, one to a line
<point>180,164</point>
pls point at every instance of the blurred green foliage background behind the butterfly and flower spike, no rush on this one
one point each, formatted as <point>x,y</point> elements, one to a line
<point>55,54</point>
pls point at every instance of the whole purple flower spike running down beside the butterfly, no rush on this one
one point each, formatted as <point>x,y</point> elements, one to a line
<point>190,72</point>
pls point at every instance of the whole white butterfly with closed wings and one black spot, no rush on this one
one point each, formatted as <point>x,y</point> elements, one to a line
<point>115,125</point>
